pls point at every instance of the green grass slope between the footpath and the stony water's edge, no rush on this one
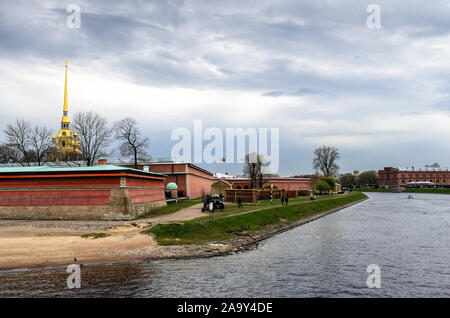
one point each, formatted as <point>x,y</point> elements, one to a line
<point>204,230</point>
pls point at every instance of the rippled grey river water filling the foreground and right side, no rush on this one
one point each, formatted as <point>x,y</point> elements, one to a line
<point>408,240</point>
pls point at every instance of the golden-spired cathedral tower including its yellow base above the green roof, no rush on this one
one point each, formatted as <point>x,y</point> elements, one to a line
<point>65,145</point>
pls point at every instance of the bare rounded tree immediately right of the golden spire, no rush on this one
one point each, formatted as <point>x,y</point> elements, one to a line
<point>94,135</point>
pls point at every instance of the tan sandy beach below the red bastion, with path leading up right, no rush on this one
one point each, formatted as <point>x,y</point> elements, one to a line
<point>47,243</point>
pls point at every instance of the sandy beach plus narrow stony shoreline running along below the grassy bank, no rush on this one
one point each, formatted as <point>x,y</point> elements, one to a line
<point>31,244</point>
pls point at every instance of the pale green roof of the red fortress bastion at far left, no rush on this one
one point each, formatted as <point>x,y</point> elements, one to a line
<point>49,169</point>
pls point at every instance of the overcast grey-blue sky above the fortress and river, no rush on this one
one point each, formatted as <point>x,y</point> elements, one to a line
<point>311,68</point>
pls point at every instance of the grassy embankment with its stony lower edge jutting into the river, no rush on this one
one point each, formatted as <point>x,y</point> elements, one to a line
<point>204,238</point>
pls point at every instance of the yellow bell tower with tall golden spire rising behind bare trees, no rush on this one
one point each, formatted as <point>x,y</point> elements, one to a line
<point>66,142</point>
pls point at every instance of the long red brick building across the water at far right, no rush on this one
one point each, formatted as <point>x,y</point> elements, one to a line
<point>391,177</point>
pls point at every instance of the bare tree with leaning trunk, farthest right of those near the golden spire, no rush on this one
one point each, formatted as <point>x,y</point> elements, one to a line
<point>132,143</point>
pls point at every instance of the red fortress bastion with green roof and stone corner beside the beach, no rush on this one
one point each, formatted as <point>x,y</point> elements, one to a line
<point>102,192</point>
